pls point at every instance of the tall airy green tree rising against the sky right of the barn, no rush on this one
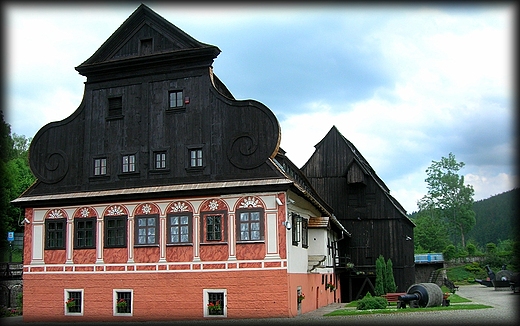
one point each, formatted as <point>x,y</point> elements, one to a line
<point>449,197</point>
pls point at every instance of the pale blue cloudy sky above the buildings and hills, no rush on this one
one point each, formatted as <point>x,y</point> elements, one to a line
<point>406,84</point>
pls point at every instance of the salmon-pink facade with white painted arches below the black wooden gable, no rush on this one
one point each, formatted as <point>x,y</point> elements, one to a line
<point>169,282</point>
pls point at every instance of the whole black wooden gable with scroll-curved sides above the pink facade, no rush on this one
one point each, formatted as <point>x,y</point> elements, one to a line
<point>126,111</point>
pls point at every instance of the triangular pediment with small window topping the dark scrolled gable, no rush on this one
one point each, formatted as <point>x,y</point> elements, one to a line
<point>145,34</point>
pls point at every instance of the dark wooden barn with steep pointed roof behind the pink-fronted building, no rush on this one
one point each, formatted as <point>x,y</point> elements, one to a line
<point>362,203</point>
